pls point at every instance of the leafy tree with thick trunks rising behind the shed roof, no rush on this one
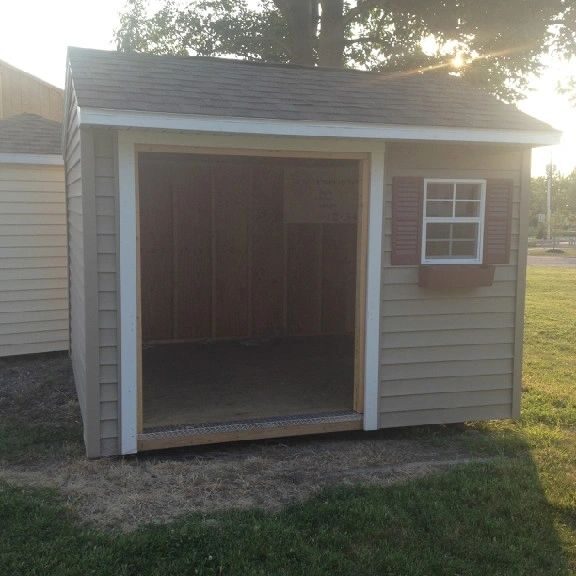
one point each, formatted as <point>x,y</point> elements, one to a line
<point>499,40</point>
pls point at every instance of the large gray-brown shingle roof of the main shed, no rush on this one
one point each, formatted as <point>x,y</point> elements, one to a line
<point>232,88</point>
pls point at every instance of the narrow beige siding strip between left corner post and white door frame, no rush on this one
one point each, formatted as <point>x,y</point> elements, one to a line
<point>108,344</point>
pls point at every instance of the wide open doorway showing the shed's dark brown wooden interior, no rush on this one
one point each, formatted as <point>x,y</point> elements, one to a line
<point>250,273</point>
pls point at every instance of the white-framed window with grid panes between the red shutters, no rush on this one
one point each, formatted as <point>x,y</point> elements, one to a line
<point>453,221</point>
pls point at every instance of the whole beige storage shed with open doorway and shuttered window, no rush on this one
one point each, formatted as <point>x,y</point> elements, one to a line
<point>262,250</point>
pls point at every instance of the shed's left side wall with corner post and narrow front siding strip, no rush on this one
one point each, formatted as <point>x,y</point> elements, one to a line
<point>91,186</point>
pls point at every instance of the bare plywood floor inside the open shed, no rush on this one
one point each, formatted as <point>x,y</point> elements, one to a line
<point>199,383</point>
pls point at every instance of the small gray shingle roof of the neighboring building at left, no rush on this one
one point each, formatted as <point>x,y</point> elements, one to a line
<point>30,134</point>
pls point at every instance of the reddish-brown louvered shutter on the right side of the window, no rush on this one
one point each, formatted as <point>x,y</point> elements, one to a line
<point>498,221</point>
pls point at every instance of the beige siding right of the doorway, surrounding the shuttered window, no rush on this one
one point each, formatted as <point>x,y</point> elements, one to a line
<point>447,356</point>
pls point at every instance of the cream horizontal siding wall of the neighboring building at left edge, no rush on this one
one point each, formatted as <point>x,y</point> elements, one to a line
<point>33,272</point>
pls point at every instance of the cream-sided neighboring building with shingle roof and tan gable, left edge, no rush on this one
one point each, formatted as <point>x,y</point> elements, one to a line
<point>33,261</point>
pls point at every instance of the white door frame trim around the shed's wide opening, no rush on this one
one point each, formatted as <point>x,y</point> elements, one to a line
<point>128,140</point>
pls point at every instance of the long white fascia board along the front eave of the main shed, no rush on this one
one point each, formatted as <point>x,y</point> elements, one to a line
<point>259,126</point>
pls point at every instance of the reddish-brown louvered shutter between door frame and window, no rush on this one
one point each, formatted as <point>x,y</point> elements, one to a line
<point>407,194</point>
